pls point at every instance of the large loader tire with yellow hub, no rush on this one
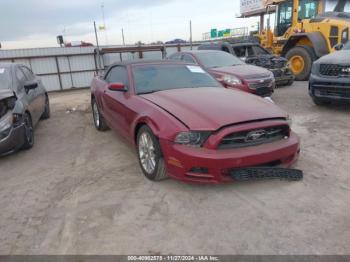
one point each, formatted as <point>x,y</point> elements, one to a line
<point>303,57</point>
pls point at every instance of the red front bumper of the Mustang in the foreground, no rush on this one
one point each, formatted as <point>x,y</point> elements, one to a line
<point>181,160</point>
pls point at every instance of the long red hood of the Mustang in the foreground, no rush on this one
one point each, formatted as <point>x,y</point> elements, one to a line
<point>209,109</point>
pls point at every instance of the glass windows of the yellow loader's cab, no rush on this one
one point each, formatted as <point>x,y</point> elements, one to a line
<point>308,9</point>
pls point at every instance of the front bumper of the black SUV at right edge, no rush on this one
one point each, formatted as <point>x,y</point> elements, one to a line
<point>330,88</point>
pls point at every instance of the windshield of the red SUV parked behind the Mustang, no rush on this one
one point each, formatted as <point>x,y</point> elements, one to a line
<point>218,59</point>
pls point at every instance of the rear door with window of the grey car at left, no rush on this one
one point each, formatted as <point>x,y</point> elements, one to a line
<point>39,92</point>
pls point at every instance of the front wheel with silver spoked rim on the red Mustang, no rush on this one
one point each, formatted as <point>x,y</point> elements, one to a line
<point>153,169</point>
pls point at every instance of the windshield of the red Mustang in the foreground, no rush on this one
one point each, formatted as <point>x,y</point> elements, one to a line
<point>153,78</point>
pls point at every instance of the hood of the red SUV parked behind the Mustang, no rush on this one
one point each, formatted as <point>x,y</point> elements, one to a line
<point>243,71</point>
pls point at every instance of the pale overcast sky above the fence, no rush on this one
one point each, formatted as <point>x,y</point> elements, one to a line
<point>36,23</point>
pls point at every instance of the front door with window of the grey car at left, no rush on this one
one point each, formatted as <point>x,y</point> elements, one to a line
<point>27,96</point>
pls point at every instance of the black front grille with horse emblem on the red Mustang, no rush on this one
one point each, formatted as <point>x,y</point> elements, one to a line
<point>255,137</point>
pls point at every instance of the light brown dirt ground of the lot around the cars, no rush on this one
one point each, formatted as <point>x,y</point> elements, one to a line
<point>79,191</point>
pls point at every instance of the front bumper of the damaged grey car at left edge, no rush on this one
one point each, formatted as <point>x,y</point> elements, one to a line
<point>13,141</point>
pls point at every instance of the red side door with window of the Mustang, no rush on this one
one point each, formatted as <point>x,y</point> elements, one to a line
<point>114,102</point>
